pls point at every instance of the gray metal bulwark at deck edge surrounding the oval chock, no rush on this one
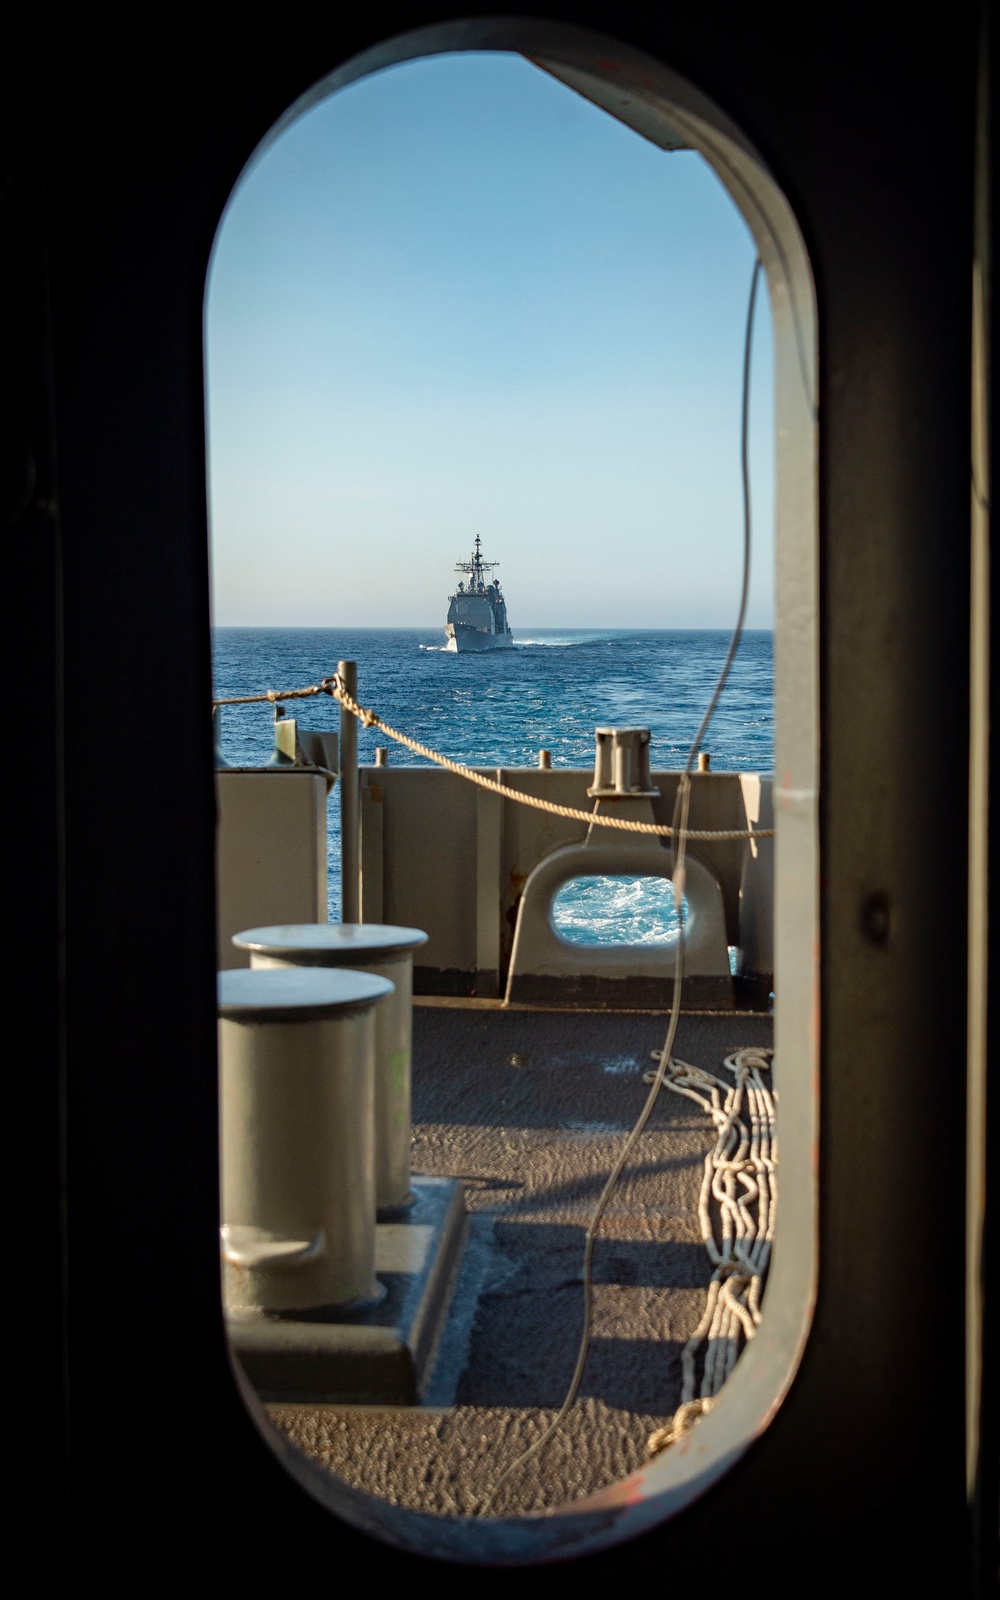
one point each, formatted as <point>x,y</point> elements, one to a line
<point>455,860</point>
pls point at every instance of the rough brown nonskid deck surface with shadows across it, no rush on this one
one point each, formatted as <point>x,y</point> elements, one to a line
<point>529,1110</point>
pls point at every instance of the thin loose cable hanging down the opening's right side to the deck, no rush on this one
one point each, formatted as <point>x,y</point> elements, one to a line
<point>679,852</point>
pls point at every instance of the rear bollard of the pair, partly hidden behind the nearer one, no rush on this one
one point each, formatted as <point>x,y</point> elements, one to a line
<point>388,953</point>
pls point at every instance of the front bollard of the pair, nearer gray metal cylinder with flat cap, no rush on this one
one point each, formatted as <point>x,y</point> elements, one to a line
<point>297,1066</point>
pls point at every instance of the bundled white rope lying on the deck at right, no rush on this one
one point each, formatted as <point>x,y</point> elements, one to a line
<point>737,1212</point>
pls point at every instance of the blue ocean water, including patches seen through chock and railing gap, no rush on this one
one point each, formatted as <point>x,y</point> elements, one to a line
<point>500,710</point>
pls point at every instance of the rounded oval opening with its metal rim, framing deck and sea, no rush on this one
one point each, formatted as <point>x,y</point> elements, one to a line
<point>481,1092</point>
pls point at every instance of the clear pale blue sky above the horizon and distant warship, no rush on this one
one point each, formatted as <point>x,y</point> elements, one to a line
<point>457,298</point>
